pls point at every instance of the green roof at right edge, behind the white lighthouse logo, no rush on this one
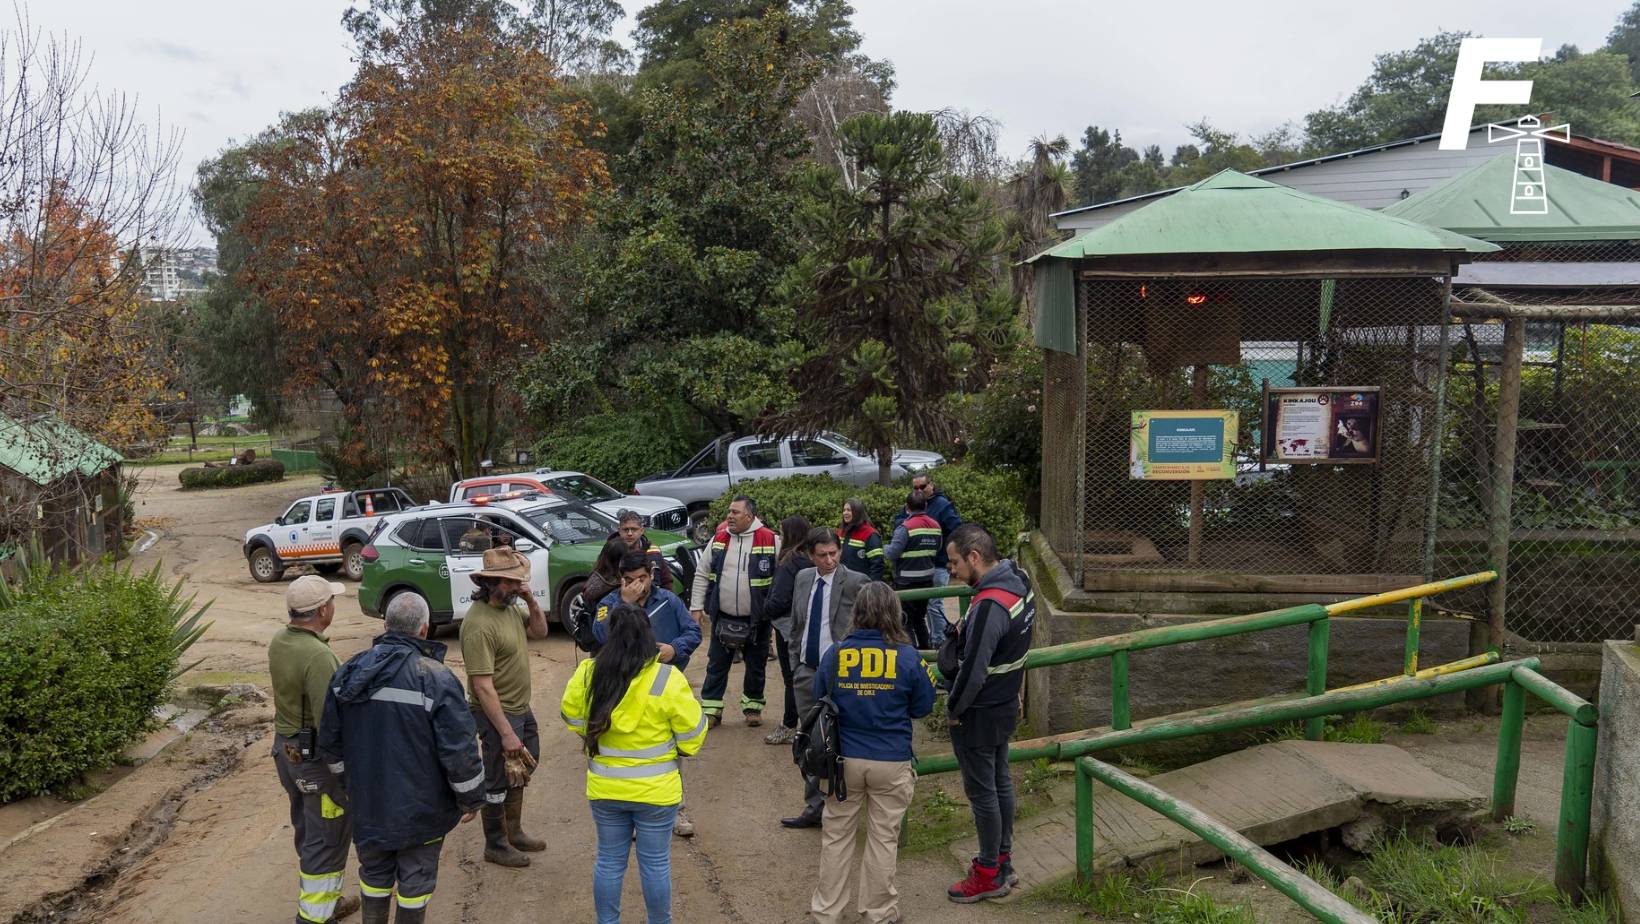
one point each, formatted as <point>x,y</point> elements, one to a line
<point>1477,204</point>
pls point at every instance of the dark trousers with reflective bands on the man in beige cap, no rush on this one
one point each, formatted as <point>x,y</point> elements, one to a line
<point>319,817</point>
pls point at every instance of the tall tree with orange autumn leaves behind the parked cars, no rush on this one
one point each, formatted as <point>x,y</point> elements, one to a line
<point>396,237</point>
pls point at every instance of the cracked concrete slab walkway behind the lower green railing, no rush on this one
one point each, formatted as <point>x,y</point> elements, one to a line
<point>1270,794</point>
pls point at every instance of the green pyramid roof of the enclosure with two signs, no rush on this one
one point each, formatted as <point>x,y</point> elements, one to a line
<point>1232,213</point>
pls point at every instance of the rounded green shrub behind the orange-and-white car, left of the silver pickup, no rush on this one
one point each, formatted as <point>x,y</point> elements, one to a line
<point>622,447</point>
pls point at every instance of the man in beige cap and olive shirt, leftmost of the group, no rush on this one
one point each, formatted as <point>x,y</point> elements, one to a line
<point>301,664</point>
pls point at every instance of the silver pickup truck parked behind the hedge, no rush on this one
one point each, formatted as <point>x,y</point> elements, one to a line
<point>731,460</point>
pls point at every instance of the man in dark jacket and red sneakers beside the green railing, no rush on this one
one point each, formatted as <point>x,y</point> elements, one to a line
<point>985,700</point>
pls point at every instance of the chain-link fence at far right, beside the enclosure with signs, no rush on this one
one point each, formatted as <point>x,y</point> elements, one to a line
<point>1575,506</point>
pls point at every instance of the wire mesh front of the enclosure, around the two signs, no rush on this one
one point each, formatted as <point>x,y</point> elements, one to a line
<point>1191,344</point>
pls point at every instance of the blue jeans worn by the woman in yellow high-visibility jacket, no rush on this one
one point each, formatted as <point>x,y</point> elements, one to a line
<point>616,823</point>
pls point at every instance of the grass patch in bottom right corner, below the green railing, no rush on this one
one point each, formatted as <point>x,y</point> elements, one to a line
<point>1408,882</point>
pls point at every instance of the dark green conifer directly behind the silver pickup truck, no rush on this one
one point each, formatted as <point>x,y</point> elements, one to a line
<point>896,291</point>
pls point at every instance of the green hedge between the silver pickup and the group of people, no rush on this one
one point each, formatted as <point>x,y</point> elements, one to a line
<point>990,498</point>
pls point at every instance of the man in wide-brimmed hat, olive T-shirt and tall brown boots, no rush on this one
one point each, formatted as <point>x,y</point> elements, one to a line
<point>494,649</point>
